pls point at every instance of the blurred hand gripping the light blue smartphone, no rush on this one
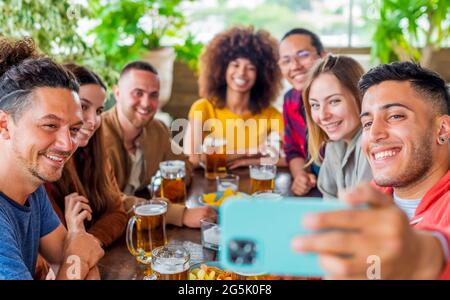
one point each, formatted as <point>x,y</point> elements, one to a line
<point>381,231</point>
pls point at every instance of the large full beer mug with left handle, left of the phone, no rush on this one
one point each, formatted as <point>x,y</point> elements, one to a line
<point>150,222</point>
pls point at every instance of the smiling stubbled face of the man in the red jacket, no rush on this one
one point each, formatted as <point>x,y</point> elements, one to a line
<point>399,133</point>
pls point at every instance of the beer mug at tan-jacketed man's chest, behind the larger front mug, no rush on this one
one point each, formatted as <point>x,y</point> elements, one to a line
<point>173,186</point>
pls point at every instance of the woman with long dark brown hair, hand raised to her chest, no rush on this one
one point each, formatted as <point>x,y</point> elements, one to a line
<point>87,185</point>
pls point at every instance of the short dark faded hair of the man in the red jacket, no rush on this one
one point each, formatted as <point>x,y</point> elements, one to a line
<point>424,81</point>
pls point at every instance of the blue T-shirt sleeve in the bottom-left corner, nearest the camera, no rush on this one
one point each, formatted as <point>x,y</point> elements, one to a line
<point>12,265</point>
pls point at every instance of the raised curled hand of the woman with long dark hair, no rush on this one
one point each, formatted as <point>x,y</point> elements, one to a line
<point>77,210</point>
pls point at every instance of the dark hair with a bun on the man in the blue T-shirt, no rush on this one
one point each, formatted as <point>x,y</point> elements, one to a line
<point>22,70</point>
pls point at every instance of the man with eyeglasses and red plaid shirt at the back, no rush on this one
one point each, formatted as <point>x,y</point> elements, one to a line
<point>299,50</point>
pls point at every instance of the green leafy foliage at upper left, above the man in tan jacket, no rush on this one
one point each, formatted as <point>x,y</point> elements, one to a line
<point>123,31</point>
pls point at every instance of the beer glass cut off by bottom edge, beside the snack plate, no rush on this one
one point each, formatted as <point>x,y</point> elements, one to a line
<point>171,263</point>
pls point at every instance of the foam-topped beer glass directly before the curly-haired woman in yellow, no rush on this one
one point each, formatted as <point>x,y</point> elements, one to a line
<point>215,157</point>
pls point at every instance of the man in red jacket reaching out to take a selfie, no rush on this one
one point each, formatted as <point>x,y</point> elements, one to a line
<point>406,128</point>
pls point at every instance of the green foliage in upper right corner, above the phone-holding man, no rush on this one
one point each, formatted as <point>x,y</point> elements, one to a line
<point>407,28</point>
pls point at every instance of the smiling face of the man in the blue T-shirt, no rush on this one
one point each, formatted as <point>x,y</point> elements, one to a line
<point>45,136</point>
